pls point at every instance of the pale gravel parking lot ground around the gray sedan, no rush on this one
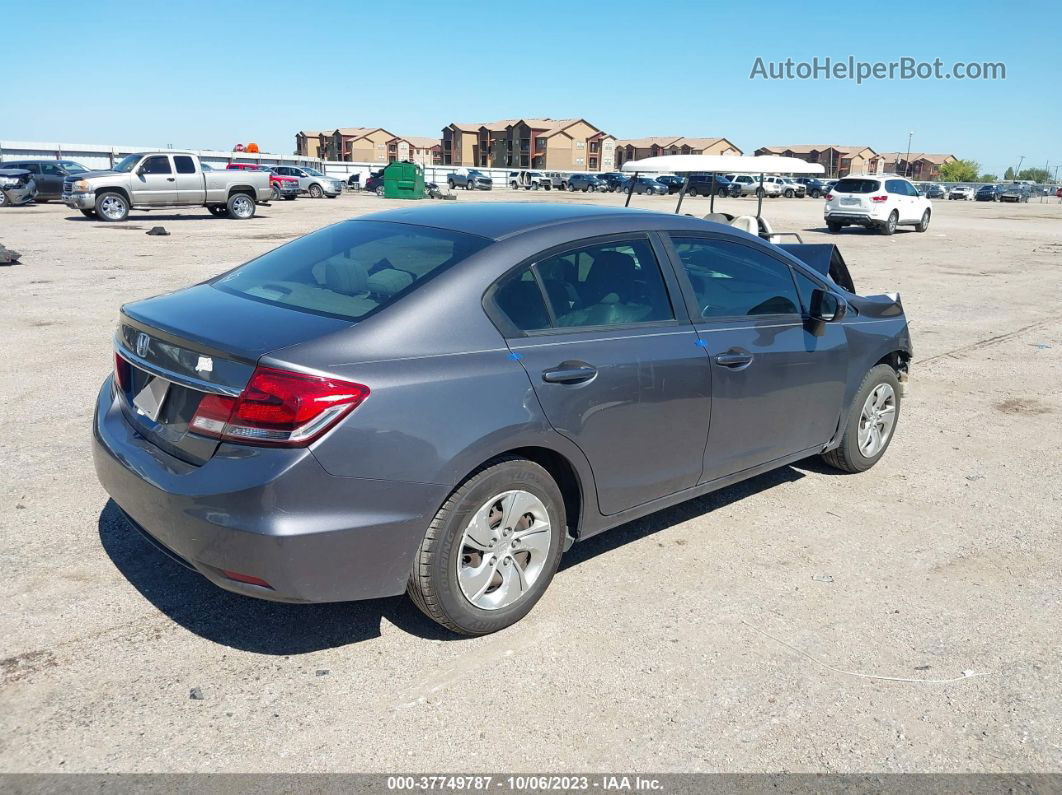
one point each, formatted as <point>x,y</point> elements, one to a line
<point>906,619</point>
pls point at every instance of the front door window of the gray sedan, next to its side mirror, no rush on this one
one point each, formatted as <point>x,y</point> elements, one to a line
<point>736,281</point>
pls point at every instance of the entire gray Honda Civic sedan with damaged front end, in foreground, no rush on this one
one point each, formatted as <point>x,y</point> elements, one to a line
<point>441,401</point>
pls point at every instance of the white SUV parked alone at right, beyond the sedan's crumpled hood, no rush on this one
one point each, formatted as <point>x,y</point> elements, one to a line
<point>877,202</point>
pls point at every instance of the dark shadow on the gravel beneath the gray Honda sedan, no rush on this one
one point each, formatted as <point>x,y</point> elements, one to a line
<point>279,629</point>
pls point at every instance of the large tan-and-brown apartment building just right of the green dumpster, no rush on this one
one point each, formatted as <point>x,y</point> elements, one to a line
<point>551,145</point>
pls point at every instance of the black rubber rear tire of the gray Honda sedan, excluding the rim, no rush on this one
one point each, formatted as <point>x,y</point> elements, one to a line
<point>434,582</point>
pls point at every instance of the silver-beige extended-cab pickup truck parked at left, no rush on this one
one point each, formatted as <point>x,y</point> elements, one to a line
<point>152,181</point>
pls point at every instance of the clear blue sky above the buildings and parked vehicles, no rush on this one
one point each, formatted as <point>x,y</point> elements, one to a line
<point>220,74</point>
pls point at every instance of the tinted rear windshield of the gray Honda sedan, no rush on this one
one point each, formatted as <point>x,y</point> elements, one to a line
<point>352,269</point>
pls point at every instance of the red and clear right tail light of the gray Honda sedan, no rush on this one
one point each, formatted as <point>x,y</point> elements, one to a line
<point>279,408</point>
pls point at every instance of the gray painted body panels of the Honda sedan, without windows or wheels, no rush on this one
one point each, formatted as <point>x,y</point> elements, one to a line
<point>342,520</point>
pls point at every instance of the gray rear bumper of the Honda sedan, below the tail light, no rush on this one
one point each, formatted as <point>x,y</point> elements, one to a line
<point>272,514</point>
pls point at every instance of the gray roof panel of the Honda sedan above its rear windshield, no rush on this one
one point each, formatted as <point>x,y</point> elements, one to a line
<point>507,219</point>
